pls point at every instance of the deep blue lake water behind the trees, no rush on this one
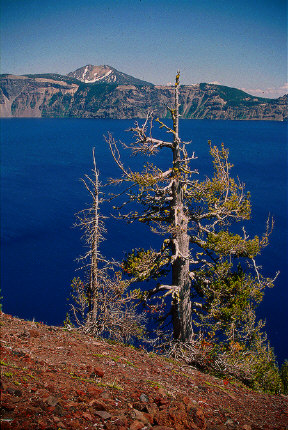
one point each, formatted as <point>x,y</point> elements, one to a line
<point>41,163</point>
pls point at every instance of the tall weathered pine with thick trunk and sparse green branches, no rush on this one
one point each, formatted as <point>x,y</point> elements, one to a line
<point>193,217</point>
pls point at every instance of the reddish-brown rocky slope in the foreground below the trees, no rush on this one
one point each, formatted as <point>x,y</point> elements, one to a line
<point>52,378</point>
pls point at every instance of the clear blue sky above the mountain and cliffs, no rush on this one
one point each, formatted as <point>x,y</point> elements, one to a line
<point>239,43</point>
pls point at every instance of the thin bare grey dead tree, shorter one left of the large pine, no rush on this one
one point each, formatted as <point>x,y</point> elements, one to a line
<point>102,304</point>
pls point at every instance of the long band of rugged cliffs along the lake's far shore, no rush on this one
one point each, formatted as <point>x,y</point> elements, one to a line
<point>60,96</point>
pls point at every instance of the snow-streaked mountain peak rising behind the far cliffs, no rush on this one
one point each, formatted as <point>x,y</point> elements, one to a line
<point>105,74</point>
